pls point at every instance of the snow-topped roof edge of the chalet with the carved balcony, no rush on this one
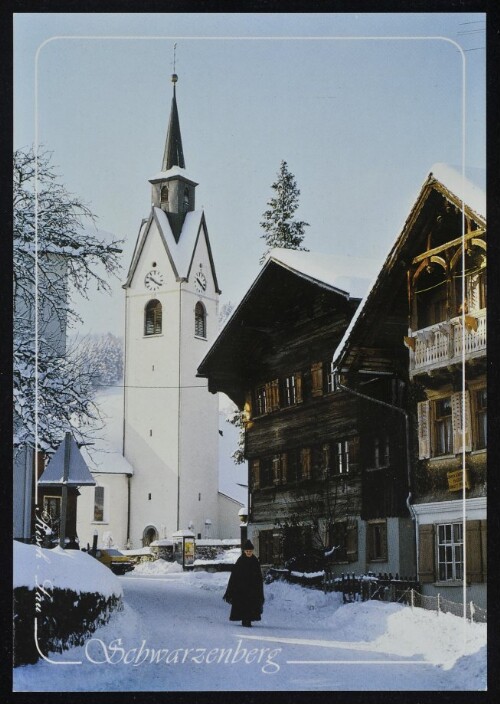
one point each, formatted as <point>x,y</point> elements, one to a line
<point>468,193</point>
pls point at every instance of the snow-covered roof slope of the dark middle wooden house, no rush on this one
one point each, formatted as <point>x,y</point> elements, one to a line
<point>349,275</point>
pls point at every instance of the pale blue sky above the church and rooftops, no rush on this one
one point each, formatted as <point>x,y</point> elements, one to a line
<point>359,105</point>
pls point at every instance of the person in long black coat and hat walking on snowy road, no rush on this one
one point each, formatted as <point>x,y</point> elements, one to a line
<point>245,589</point>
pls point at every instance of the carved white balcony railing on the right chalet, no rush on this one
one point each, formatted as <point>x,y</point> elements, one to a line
<point>446,343</point>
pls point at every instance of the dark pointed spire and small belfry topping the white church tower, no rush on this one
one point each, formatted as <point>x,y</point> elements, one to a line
<point>172,190</point>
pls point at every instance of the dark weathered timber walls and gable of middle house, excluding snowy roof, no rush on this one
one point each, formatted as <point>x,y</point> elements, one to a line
<point>326,469</point>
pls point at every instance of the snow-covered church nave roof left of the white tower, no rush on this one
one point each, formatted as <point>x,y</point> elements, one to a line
<point>105,455</point>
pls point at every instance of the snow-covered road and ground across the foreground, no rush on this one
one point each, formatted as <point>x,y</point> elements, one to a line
<point>174,634</point>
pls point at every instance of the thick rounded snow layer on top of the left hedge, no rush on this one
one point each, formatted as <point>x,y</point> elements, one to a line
<point>62,569</point>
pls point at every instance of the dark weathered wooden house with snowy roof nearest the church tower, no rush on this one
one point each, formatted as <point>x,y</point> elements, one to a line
<point>273,359</point>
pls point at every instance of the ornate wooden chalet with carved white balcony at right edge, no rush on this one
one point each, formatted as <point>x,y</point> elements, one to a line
<point>426,318</point>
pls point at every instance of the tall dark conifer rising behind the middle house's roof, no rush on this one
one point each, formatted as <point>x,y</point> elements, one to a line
<point>281,230</point>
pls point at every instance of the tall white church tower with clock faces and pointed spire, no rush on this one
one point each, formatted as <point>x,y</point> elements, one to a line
<point>170,418</point>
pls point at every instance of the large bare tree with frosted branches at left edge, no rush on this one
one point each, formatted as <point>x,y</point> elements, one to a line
<point>57,256</point>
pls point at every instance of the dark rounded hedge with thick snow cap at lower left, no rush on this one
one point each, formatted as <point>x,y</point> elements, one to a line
<point>60,598</point>
